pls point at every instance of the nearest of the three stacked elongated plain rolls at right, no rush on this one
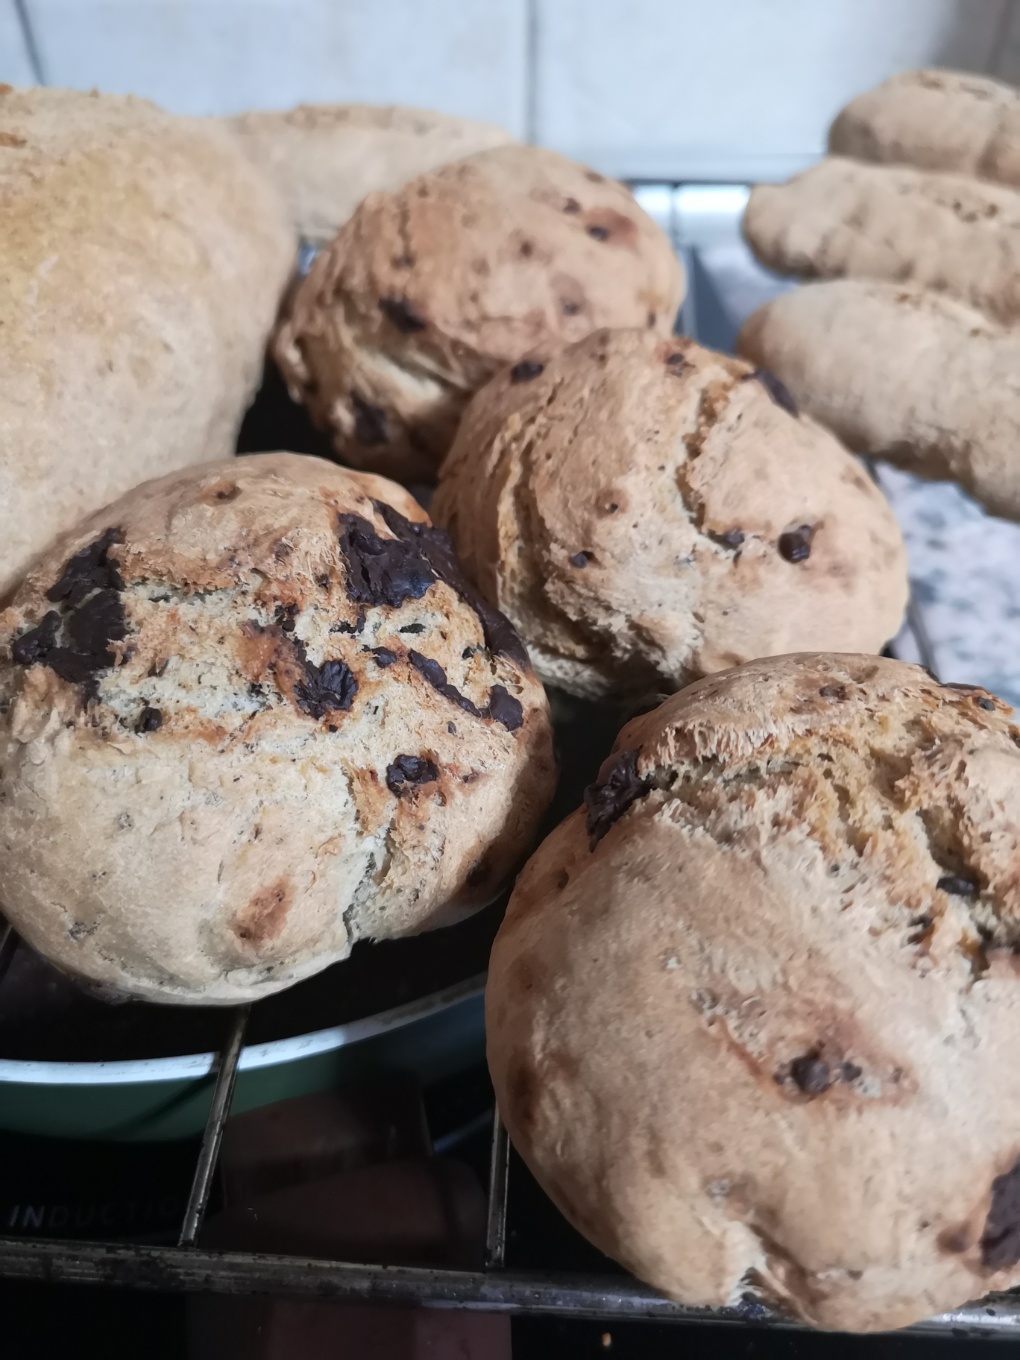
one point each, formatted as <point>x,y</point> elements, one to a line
<point>904,375</point>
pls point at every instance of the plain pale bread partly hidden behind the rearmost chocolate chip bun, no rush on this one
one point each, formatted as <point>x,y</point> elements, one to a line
<point>326,157</point>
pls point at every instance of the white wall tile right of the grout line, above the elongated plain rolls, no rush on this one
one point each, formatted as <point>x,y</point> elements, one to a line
<point>731,88</point>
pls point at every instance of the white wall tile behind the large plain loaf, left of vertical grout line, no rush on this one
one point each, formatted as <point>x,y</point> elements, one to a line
<point>221,56</point>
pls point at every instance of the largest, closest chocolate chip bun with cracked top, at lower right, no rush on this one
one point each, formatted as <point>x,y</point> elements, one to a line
<point>754,1015</point>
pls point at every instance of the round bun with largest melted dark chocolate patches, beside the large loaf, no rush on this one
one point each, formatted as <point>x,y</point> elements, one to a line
<point>250,715</point>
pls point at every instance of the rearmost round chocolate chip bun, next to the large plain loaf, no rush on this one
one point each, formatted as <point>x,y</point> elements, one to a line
<point>428,292</point>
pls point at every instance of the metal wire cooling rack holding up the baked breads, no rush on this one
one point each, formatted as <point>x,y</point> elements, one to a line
<point>191,1268</point>
